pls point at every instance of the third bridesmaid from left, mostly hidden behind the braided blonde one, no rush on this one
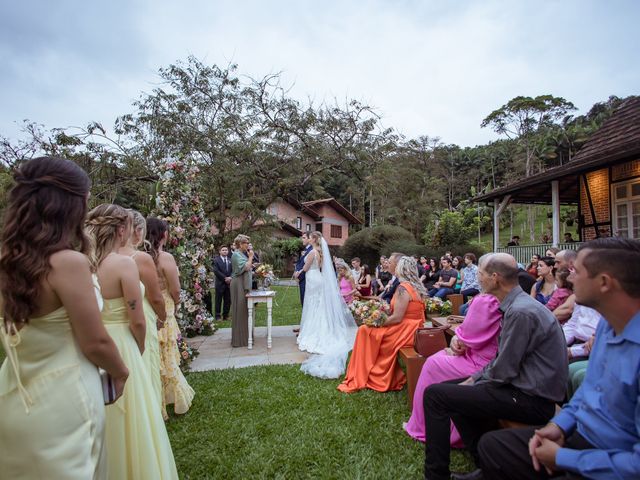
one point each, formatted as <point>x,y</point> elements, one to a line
<point>152,300</point>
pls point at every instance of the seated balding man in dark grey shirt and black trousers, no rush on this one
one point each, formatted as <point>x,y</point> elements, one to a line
<point>522,383</point>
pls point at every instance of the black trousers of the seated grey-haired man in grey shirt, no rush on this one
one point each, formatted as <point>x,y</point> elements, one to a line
<point>475,410</point>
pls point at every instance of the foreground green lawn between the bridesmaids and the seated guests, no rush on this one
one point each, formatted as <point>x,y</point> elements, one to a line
<point>276,422</point>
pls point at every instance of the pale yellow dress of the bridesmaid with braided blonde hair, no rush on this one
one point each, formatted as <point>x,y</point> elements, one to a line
<point>137,442</point>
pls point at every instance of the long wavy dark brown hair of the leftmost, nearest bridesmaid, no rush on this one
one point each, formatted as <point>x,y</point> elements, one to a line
<point>44,215</point>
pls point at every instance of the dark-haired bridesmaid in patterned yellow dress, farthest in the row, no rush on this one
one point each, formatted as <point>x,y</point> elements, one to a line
<point>176,389</point>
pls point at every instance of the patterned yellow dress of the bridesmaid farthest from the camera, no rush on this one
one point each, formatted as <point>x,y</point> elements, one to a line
<point>176,389</point>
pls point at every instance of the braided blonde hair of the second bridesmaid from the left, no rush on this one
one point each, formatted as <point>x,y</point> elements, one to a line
<point>102,226</point>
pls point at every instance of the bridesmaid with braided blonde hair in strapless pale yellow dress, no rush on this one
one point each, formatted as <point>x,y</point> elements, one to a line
<point>137,443</point>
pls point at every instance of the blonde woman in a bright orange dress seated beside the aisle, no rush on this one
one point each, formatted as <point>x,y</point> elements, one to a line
<point>373,362</point>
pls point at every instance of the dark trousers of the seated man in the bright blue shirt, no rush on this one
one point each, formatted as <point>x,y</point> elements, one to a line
<point>504,454</point>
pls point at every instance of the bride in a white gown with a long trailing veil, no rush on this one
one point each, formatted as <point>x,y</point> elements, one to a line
<point>327,328</point>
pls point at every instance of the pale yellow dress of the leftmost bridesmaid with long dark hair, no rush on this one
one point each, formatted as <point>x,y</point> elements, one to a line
<point>51,406</point>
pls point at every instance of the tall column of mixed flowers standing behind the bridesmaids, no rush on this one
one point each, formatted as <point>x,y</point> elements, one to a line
<point>190,242</point>
